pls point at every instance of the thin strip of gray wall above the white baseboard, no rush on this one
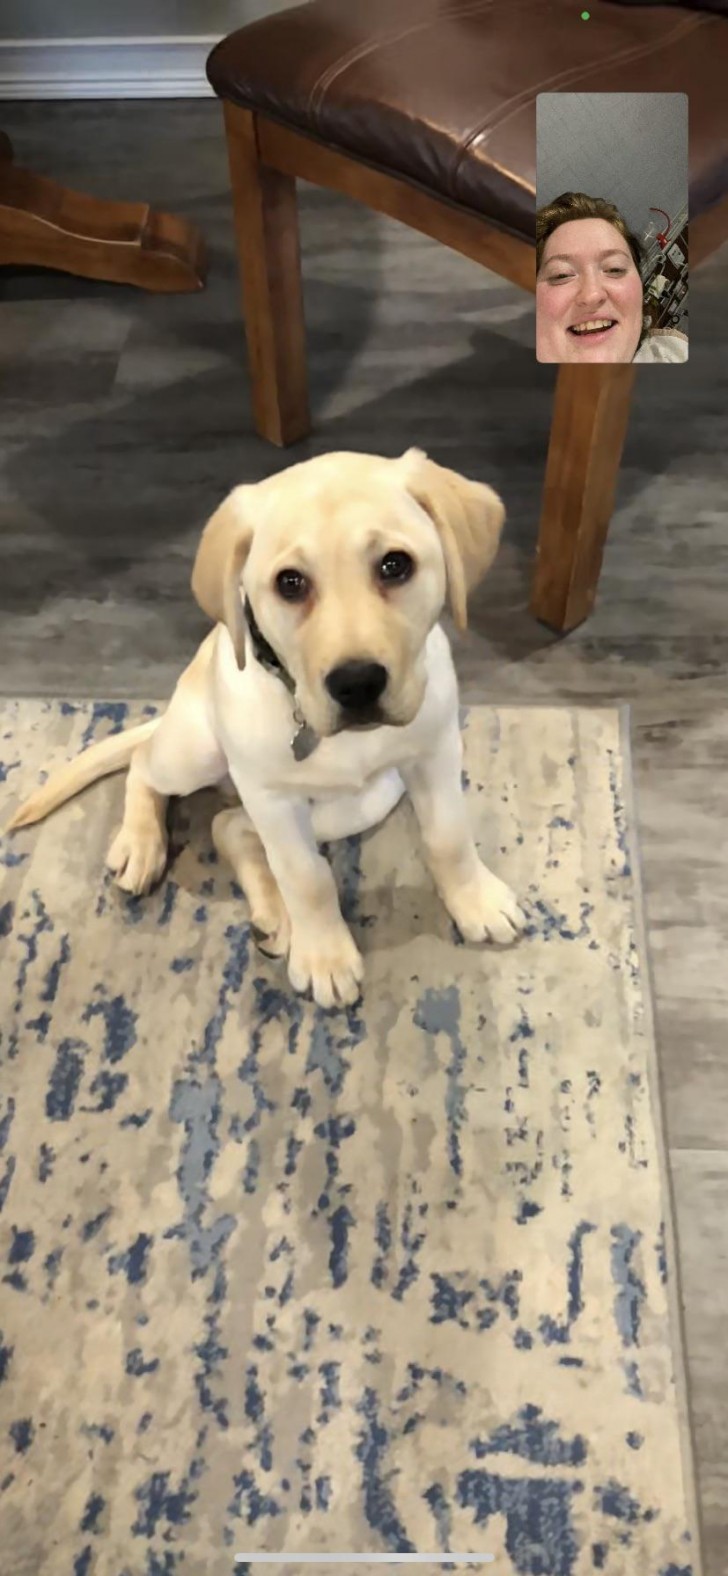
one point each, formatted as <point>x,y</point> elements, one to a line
<point>128,18</point>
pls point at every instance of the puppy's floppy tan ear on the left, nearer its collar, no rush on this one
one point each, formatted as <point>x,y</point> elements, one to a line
<point>221,556</point>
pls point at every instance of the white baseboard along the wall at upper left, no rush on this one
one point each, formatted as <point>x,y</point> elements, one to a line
<point>105,69</point>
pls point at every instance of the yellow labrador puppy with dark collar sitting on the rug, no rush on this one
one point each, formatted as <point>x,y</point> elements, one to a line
<point>324,693</point>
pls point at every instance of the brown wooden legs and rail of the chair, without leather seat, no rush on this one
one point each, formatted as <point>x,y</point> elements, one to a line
<point>590,407</point>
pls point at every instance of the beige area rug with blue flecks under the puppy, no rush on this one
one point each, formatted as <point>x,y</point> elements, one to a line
<point>390,1280</point>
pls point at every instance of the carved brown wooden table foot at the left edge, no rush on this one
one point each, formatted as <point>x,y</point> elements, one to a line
<point>45,225</point>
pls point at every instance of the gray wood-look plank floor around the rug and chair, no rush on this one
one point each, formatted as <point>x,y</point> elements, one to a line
<point>125,418</point>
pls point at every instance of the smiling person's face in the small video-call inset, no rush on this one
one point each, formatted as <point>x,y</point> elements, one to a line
<point>589,295</point>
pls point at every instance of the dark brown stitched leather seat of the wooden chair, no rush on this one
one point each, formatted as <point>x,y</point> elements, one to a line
<point>444,94</point>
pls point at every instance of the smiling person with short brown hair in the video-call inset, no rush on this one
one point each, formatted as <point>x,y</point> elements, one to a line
<point>590,294</point>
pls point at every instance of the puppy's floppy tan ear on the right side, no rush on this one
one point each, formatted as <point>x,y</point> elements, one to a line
<point>469,518</point>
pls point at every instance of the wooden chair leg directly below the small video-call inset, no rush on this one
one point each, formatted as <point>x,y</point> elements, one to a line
<point>589,431</point>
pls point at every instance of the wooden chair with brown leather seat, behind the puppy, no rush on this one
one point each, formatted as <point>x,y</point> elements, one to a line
<point>426,111</point>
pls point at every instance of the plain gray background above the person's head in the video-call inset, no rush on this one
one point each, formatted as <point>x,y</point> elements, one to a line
<point>626,147</point>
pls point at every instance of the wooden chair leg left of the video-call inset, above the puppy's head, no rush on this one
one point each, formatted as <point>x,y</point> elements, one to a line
<point>270,264</point>
